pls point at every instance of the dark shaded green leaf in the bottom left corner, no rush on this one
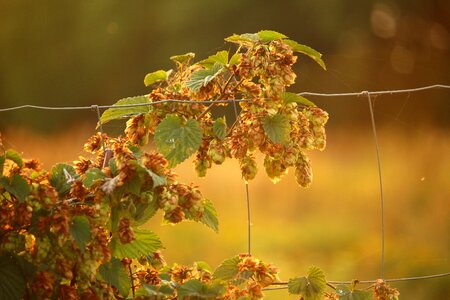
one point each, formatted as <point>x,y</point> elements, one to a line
<point>12,283</point>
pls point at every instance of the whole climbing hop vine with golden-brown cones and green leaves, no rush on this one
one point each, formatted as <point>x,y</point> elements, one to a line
<point>76,231</point>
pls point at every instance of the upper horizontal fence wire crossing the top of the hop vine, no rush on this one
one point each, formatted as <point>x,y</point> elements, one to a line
<point>94,107</point>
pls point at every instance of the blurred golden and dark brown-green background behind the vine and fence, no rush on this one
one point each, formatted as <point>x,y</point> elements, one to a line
<point>73,53</point>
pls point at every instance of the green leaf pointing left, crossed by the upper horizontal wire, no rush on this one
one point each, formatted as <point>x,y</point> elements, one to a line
<point>118,112</point>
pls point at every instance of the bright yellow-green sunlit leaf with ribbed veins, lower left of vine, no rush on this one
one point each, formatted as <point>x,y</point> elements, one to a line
<point>146,242</point>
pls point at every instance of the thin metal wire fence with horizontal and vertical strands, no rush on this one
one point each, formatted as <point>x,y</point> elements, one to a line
<point>366,94</point>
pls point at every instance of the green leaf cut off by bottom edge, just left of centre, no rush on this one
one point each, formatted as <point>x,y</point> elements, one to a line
<point>197,289</point>
